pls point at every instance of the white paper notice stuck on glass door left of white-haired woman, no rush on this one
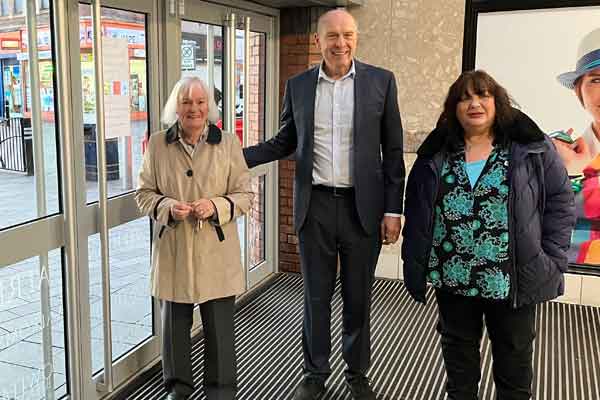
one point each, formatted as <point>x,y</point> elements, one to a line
<point>117,115</point>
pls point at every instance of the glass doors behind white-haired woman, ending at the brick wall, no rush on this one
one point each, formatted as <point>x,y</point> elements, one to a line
<point>234,51</point>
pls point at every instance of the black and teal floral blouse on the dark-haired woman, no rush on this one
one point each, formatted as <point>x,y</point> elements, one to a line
<point>469,255</point>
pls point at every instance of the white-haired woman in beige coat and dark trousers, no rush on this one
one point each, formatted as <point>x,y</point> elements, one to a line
<point>194,183</point>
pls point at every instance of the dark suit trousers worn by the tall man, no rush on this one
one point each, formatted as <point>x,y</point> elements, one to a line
<point>332,228</point>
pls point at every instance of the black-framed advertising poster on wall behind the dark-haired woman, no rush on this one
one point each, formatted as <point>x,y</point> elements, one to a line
<point>549,61</point>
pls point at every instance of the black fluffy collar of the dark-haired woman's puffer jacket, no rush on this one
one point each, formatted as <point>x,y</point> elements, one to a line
<point>523,131</point>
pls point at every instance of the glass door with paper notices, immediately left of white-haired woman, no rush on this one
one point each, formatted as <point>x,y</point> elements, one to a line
<point>113,53</point>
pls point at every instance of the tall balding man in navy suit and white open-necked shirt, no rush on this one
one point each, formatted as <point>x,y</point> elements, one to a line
<point>341,120</point>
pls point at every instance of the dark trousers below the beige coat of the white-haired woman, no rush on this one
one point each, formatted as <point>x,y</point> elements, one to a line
<point>219,344</point>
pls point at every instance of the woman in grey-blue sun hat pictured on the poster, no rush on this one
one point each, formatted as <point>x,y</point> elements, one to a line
<point>581,155</point>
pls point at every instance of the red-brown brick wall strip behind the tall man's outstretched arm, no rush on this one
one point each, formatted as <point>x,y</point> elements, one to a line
<point>297,53</point>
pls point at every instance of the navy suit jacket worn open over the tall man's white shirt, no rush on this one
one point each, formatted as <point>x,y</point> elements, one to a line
<point>378,163</point>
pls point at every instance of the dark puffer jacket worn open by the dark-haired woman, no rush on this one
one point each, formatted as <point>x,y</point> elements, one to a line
<point>540,214</point>
